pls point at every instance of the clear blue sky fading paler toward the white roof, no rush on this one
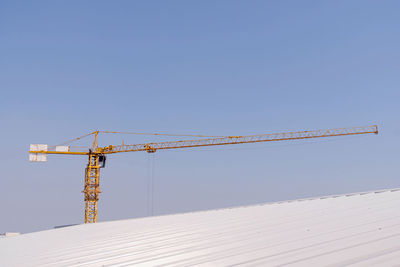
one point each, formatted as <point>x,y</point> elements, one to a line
<point>209,67</point>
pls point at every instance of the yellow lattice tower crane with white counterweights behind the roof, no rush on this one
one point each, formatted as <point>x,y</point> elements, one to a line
<point>97,154</point>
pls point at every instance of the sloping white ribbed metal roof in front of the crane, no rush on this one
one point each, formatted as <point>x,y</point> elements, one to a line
<point>356,229</point>
